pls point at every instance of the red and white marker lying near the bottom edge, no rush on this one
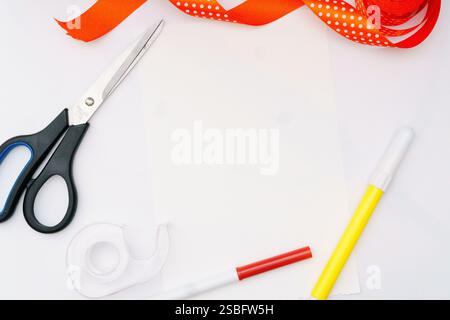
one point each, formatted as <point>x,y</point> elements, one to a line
<point>237,274</point>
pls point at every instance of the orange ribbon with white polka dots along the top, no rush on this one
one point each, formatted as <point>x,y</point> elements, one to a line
<point>369,22</point>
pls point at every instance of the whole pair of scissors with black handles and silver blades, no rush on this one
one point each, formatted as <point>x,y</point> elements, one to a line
<point>71,124</point>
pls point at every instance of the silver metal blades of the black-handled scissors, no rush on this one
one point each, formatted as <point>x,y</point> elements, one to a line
<point>112,77</point>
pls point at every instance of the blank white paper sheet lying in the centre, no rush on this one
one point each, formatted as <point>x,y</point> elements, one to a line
<point>223,77</point>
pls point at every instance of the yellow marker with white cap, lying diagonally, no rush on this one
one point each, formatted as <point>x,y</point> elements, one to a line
<point>377,187</point>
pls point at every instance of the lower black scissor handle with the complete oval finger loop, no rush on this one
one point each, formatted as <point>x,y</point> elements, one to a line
<point>60,164</point>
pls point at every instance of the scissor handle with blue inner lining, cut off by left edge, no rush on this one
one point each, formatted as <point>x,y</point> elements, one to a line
<point>40,144</point>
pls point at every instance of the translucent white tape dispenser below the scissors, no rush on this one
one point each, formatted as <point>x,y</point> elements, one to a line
<point>94,280</point>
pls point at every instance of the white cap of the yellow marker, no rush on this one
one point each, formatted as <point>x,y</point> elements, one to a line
<point>389,163</point>
